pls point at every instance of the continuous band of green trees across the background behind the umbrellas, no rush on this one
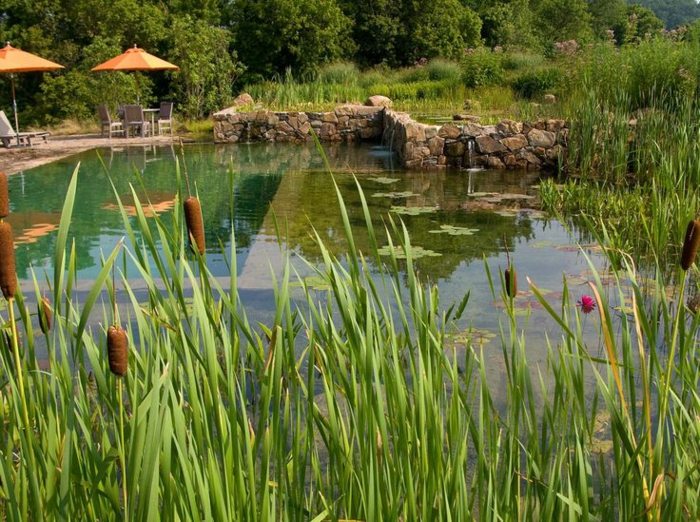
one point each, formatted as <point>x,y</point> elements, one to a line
<point>217,43</point>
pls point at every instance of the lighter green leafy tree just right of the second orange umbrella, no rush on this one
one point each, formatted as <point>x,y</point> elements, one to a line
<point>207,67</point>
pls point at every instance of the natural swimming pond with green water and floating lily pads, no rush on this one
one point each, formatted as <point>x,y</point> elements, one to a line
<point>459,222</point>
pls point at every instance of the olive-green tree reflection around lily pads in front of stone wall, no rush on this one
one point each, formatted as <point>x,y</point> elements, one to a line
<point>310,201</point>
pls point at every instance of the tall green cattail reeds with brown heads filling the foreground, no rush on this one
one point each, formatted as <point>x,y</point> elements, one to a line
<point>354,403</point>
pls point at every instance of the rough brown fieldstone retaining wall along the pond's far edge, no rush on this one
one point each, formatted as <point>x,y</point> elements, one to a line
<point>507,145</point>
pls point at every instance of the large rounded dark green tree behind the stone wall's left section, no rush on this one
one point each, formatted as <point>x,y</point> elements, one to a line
<point>275,35</point>
